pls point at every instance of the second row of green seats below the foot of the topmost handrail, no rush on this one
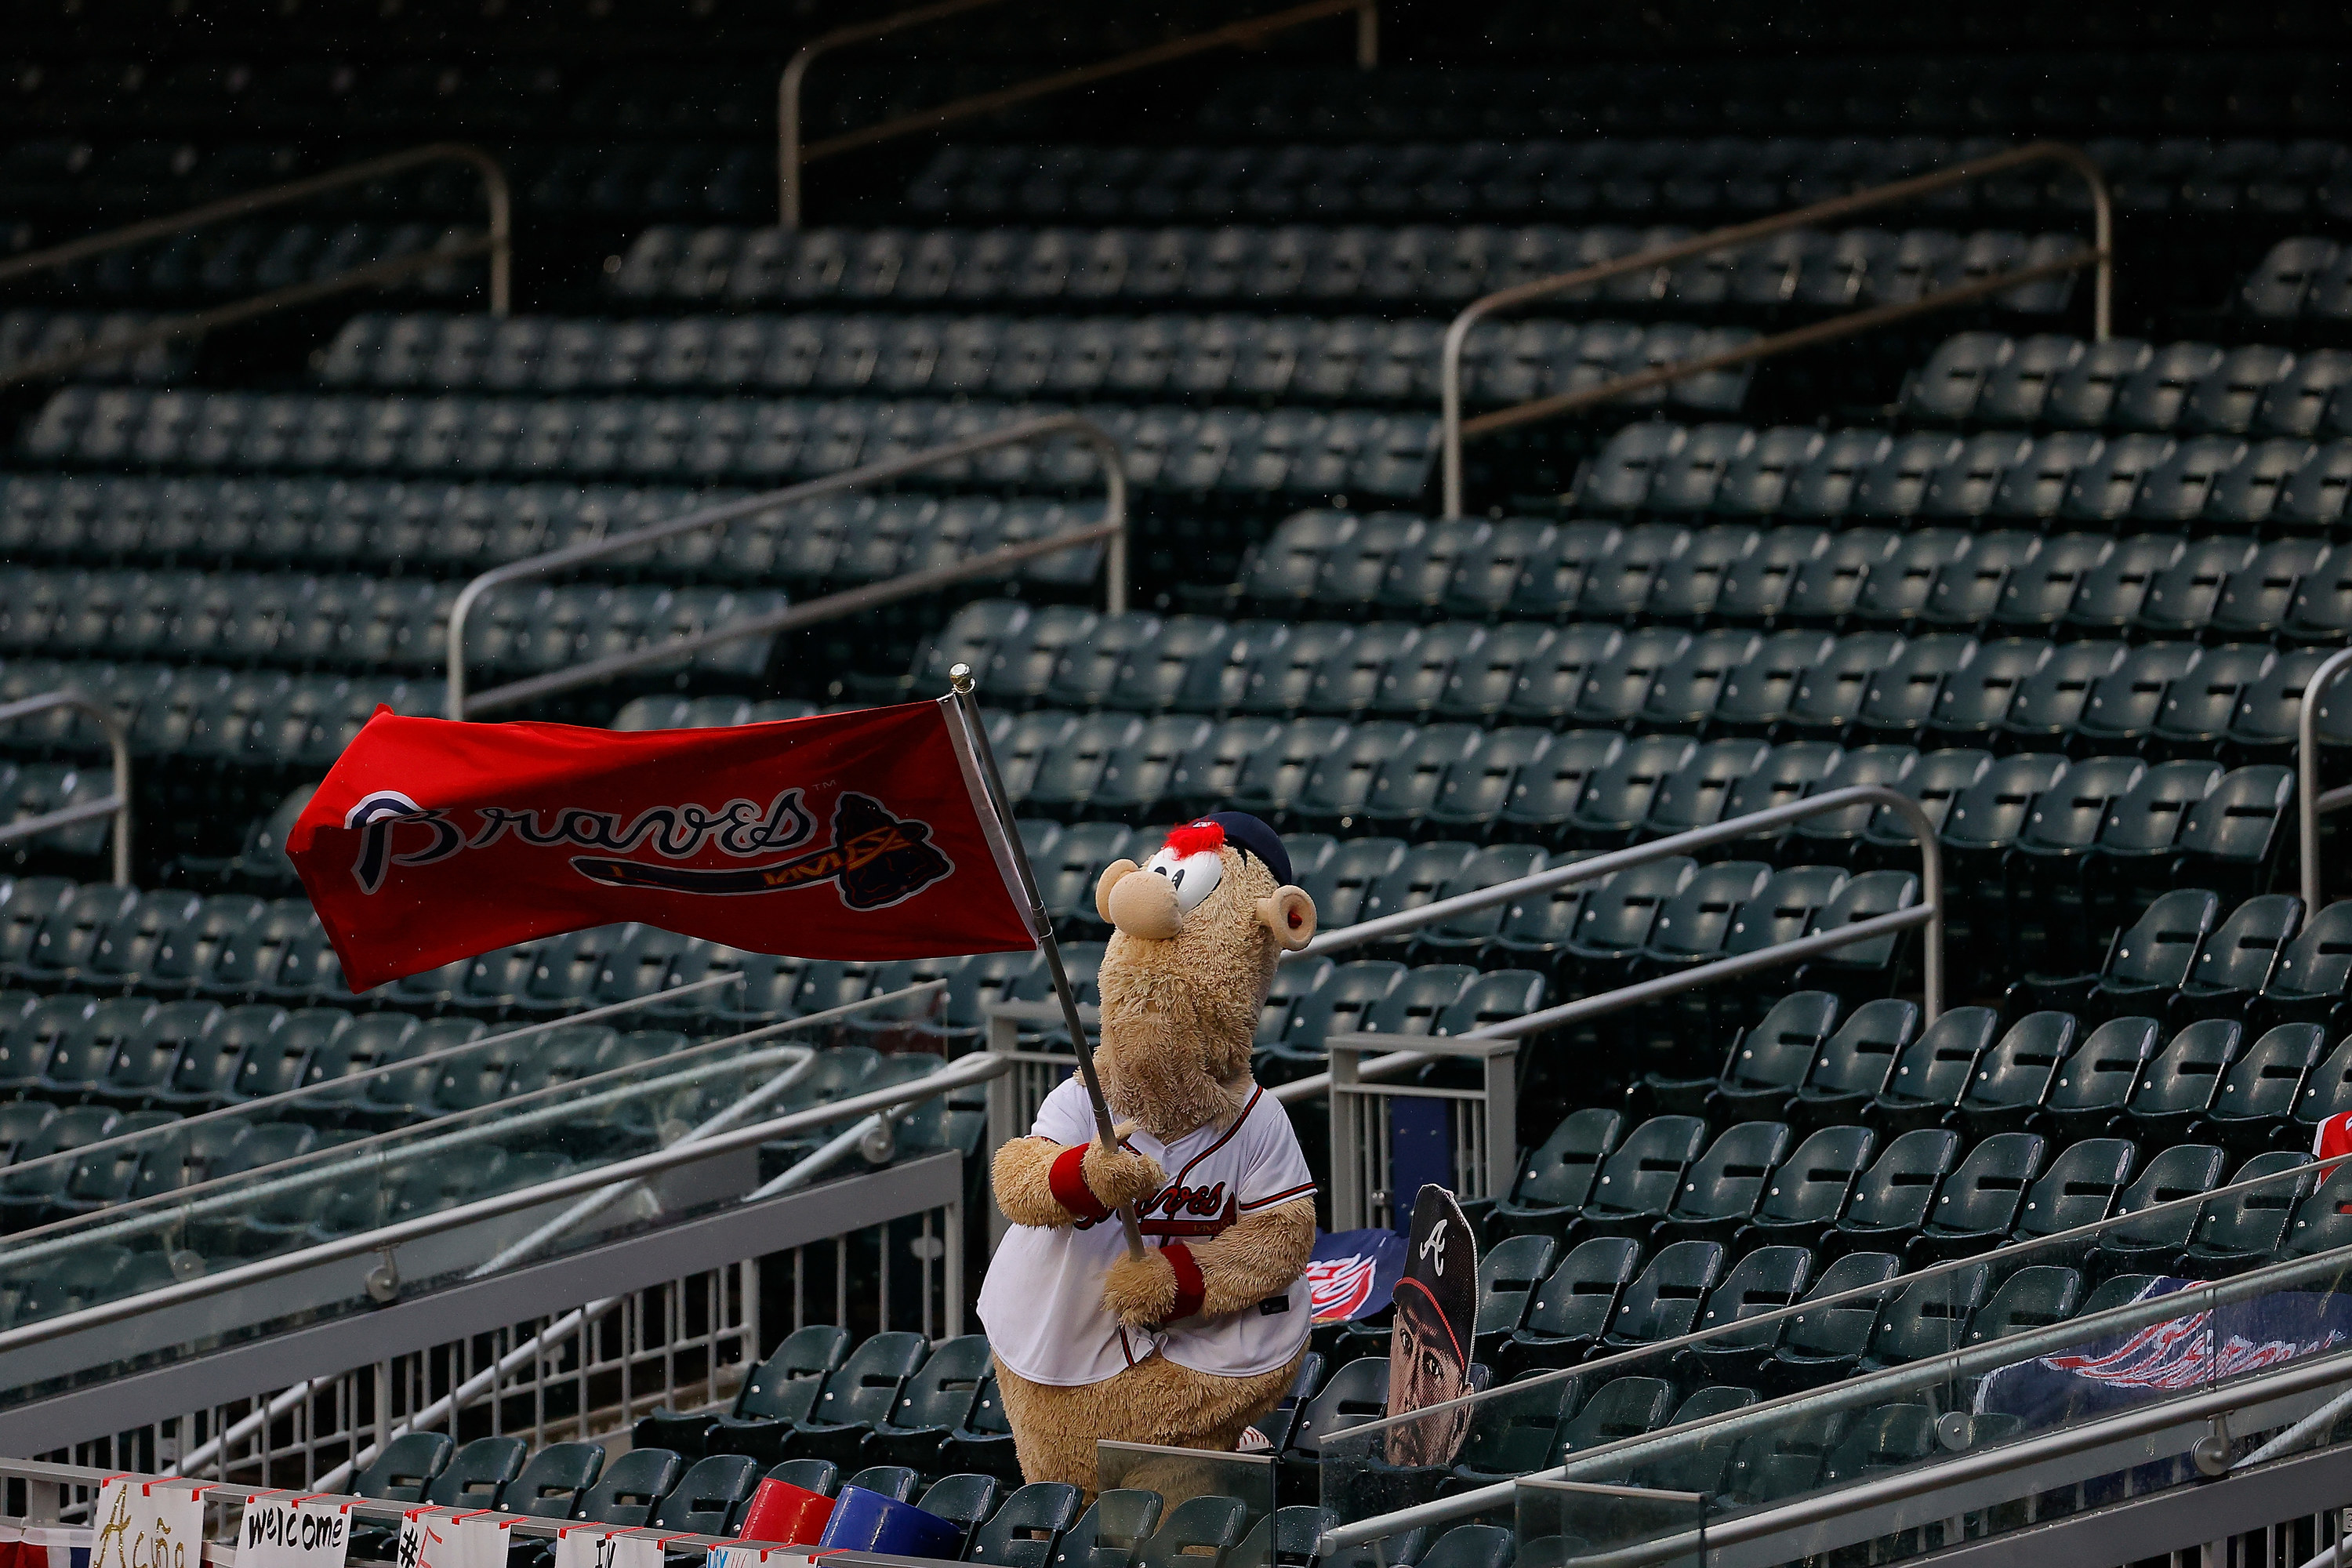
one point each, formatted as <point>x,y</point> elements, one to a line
<point>1222,356</point>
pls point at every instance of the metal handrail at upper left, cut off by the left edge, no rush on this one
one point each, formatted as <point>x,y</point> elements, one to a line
<point>497,246</point>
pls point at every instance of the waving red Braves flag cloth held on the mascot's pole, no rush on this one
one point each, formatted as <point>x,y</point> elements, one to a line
<point>855,836</point>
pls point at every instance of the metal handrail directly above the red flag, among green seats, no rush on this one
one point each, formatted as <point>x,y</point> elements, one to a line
<point>831,608</point>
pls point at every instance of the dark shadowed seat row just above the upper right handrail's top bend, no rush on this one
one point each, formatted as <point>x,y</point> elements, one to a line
<point>1935,93</point>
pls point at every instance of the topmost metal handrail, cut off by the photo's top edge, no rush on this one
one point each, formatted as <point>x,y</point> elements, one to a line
<point>791,159</point>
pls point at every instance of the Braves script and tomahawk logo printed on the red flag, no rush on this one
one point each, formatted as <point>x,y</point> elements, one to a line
<point>876,859</point>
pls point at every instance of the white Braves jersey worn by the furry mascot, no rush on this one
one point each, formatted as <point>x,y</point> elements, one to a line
<point>1043,1301</point>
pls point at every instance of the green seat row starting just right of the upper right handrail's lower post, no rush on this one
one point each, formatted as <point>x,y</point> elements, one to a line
<point>1993,476</point>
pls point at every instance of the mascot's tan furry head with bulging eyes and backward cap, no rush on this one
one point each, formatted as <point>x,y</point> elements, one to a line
<point>1196,937</point>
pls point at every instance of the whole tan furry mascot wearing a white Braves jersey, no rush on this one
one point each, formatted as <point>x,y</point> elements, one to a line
<point>1203,1334</point>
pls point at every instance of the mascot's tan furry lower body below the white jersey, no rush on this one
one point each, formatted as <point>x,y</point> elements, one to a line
<point>1154,1402</point>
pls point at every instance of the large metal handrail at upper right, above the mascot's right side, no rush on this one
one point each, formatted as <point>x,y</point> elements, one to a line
<point>1450,366</point>
